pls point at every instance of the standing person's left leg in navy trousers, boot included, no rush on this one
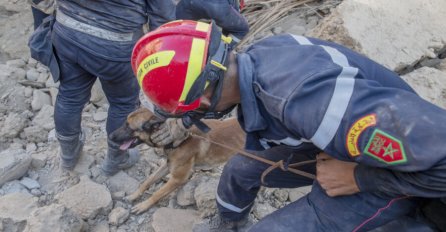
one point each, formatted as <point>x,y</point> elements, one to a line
<point>74,93</point>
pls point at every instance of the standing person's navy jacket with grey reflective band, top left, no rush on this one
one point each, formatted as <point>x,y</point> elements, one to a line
<point>121,18</point>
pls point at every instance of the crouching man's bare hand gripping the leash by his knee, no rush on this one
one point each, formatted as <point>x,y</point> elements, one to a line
<point>336,177</point>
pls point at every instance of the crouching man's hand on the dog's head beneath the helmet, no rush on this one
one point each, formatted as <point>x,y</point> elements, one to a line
<point>171,131</point>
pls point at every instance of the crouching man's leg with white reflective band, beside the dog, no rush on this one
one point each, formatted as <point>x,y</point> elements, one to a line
<point>241,179</point>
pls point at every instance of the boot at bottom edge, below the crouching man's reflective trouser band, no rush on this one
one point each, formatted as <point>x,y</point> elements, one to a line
<point>219,224</point>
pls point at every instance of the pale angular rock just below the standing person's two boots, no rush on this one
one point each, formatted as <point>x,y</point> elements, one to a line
<point>86,198</point>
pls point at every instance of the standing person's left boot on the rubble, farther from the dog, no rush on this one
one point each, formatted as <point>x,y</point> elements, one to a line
<point>70,149</point>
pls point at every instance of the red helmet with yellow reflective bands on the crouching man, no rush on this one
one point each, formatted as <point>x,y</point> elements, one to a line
<point>169,60</point>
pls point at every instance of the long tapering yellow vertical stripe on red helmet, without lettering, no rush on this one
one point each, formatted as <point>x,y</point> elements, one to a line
<point>196,60</point>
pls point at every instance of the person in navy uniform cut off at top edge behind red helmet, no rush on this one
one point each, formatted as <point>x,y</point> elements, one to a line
<point>226,13</point>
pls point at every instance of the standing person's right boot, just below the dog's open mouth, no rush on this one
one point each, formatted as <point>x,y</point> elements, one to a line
<point>118,159</point>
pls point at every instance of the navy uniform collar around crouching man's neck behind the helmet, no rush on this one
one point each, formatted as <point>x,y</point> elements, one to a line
<point>251,117</point>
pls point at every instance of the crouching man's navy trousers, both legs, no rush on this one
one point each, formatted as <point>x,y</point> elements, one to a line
<point>240,182</point>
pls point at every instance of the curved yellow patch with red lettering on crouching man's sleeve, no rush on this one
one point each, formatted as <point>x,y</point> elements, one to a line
<point>355,131</point>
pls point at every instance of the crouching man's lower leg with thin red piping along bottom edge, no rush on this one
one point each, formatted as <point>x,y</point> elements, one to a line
<point>319,212</point>
